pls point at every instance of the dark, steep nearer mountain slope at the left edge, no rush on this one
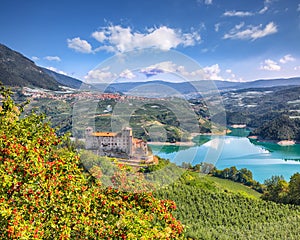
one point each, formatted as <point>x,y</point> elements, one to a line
<point>17,70</point>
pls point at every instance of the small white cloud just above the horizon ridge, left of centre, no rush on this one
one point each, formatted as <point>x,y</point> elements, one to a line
<point>100,75</point>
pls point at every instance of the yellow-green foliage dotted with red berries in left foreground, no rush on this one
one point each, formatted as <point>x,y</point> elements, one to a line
<point>46,194</point>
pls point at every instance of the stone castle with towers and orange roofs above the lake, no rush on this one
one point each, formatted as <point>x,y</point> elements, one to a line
<point>121,144</point>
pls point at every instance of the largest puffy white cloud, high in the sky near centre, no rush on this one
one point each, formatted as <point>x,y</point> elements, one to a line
<point>120,39</point>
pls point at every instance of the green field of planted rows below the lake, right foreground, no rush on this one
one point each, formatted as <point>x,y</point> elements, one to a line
<point>210,213</point>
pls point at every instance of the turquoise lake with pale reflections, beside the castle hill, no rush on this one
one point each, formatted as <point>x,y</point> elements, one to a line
<point>263,159</point>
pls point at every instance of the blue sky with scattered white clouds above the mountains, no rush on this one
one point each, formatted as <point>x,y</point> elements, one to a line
<point>235,40</point>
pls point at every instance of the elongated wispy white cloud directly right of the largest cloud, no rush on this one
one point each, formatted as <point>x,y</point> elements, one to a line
<point>251,32</point>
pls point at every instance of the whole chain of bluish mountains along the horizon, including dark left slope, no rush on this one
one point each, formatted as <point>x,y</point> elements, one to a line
<point>17,70</point>
